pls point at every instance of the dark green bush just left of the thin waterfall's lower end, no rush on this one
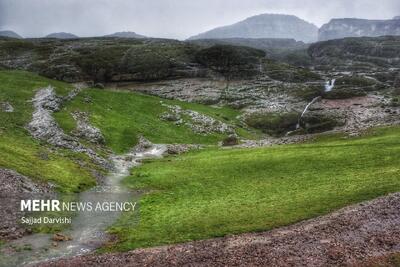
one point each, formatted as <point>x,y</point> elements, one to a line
<point>273,123</point>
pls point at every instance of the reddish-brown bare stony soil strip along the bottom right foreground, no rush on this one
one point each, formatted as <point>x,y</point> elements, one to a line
<point>349,236</point>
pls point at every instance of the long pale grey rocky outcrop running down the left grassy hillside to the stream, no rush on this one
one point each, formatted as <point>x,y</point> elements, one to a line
<point>44,127</point>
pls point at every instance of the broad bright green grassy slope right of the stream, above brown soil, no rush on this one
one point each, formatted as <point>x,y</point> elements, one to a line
<point>218,192</point>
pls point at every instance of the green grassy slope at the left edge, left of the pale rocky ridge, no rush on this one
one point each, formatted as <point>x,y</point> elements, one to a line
<point>19,151</point>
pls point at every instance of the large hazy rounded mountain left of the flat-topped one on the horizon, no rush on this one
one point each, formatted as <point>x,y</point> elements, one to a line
<point>265,26</point>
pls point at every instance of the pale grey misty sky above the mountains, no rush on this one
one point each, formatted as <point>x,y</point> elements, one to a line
<point>170,18</point>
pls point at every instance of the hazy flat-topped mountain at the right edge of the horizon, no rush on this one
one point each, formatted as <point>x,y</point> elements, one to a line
<point>351,27</point>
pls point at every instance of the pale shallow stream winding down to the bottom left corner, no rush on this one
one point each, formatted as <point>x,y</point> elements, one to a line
<point>87,228</point>
